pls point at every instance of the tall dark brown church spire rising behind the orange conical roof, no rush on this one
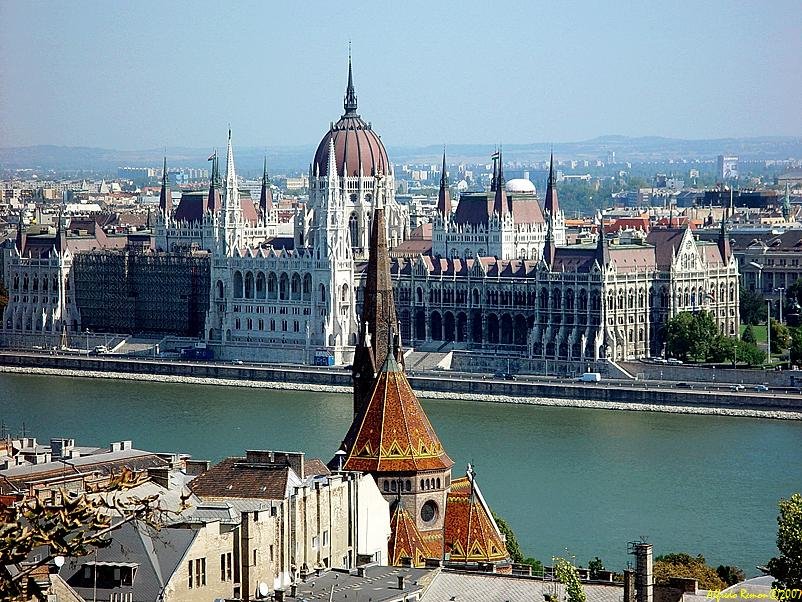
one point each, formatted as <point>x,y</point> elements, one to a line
<point>379,320</point>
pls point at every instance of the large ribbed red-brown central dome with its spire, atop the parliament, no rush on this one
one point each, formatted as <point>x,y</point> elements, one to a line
<point>358,150</point>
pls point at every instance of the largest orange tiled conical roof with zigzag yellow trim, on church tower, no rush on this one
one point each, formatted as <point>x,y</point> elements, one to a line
<point>392,432</point>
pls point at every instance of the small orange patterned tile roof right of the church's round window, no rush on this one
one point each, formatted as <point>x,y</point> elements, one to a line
<point>471,534</point>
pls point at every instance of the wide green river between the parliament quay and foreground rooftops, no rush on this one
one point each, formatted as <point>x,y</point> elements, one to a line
<point>583,480</point>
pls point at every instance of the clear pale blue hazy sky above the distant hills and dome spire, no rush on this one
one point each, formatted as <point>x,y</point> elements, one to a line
<point>139,74</point>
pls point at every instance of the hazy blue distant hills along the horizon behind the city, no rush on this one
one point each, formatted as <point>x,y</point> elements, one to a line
<point>297,158</point>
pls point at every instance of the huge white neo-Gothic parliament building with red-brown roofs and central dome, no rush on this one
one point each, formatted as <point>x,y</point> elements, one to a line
<point>497,277</point>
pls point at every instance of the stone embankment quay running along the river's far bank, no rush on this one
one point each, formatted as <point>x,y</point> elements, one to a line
<point>646,395</point>
